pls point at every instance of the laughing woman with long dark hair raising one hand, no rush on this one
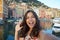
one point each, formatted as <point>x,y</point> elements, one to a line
<point>30,29</point>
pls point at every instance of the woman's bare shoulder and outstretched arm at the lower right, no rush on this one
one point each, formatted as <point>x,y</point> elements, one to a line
<point>46,36</point>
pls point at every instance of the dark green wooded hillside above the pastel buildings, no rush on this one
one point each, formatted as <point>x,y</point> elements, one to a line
<point>33,2</point>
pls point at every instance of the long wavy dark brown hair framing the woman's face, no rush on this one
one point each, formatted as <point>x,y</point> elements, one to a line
<point>25,29</point>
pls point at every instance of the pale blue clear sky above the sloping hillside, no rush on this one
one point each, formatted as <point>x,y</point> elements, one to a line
<point>51,3</point>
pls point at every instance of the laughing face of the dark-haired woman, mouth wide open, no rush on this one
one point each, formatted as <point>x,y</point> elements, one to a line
<point>30,20</point>
